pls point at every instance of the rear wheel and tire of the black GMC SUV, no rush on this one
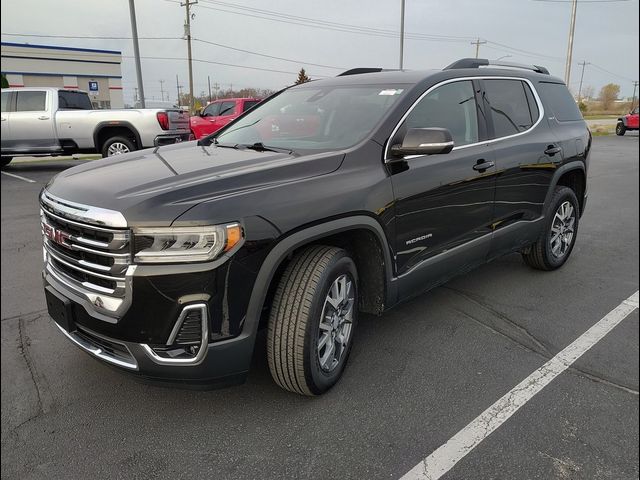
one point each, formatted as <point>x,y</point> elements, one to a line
<point>545,253</point>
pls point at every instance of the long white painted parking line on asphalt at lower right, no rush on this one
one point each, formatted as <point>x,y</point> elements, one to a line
<point>446,456</point>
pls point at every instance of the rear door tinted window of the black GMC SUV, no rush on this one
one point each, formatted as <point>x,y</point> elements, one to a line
<point>510,107</point>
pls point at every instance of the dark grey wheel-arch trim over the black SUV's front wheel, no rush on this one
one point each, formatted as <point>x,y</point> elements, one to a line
<point>301,237</point>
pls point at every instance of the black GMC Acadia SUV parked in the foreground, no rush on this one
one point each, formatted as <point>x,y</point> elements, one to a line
<point>330,198</point>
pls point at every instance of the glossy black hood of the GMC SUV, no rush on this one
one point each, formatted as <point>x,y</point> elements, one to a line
<point>155,186</point>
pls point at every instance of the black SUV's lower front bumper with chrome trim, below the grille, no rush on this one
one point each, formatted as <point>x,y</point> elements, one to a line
<point>217,363</point>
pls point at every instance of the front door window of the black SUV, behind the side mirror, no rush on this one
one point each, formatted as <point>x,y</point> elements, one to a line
<point>451,106</point>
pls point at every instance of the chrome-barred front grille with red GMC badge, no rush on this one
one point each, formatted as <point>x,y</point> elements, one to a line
<point>91,257</point>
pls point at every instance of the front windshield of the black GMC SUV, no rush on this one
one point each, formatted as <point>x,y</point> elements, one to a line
<point>308,118</point>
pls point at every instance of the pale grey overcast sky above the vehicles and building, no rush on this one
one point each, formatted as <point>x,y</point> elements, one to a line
<point>440,31</point>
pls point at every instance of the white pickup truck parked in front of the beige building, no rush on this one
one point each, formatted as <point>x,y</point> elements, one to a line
<point>55,121</point>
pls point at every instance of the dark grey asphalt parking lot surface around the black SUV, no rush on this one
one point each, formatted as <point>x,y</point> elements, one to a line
<point>417,375</point>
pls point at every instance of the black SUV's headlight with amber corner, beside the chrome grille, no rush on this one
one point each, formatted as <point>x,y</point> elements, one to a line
<point>184,244</point>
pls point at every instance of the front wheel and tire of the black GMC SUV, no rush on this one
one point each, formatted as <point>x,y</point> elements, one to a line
<point>302,316</point>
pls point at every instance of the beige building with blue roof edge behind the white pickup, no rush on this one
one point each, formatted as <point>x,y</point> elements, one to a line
<point>98,72</point>
